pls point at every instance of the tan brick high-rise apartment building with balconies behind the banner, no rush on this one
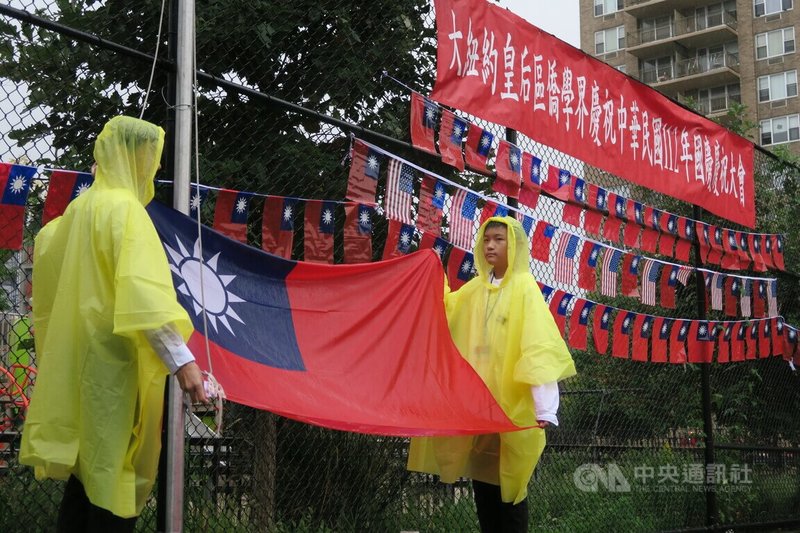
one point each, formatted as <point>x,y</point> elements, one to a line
<point>713,53</point>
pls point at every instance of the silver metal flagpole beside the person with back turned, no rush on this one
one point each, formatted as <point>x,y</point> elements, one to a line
<point>180,201</point>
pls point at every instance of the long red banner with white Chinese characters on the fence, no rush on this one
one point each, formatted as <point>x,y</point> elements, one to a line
<point>493,64</point>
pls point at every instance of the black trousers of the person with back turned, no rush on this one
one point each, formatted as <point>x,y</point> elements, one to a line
<point>78,515</point>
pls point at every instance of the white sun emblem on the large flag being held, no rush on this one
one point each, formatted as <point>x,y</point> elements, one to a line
<point>218,298</point>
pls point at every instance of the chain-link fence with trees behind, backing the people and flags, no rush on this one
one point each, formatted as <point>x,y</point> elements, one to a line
<point>631,451</point>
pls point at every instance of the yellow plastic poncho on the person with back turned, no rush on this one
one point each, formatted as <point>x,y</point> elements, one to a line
<point>100,279</point>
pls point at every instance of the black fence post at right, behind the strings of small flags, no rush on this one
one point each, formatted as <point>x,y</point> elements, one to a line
<point>712,511</point>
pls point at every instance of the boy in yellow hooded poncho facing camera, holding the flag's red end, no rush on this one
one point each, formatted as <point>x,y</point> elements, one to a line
<point>503,327</point>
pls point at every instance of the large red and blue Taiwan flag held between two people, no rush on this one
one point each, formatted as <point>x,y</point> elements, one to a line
<point>362,347</point>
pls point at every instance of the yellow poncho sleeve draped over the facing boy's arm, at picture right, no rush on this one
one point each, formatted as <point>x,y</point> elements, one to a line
<point>545,357</point>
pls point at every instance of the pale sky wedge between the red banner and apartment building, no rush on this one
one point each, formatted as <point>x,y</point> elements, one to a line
<point>560,18</point>
